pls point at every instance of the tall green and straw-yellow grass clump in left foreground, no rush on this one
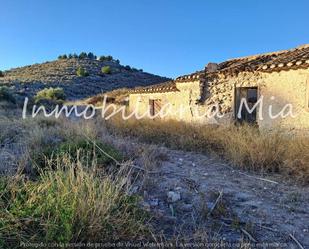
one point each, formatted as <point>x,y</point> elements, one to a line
<point>69,204</point>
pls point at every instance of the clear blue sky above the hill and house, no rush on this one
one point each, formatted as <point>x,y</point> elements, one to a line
<point>166,37</point>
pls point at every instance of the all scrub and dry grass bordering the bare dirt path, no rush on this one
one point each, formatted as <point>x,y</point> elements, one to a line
<point>67,182</point>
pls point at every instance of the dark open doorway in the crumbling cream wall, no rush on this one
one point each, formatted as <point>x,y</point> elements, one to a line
<point>250,94</point>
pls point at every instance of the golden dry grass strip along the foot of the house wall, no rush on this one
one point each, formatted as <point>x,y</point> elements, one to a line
<point>243,146</point>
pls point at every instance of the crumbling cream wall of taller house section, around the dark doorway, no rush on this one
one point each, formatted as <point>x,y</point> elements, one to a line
<point>278,89</point>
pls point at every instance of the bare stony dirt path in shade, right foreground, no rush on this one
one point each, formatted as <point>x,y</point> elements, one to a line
<point>196,196</point>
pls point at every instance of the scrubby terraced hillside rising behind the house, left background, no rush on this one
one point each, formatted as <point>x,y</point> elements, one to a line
<point>26,81</point>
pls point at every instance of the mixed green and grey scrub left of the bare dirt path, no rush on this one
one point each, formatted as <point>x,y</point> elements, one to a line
<point>65,185</point>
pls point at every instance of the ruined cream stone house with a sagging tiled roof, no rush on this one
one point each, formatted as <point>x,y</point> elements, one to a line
<point>270,90</point>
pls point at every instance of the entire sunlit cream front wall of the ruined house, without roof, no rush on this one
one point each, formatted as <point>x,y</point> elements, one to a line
<point>277,88</point>
